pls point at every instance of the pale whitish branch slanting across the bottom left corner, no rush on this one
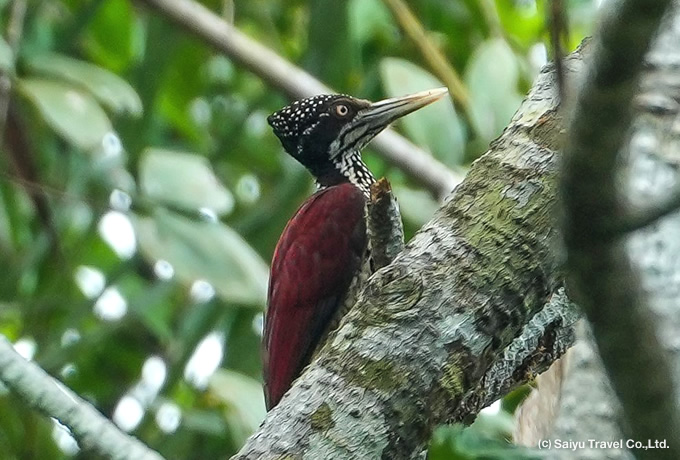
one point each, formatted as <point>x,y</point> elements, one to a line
<point>45,394</point>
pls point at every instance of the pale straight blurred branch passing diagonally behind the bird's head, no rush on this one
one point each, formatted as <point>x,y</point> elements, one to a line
<point>295,82</point>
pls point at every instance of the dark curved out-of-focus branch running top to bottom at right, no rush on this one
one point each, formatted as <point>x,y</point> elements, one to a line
<point>604,283</point>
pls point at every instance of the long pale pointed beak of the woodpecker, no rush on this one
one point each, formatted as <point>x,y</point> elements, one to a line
<point>379,115</point>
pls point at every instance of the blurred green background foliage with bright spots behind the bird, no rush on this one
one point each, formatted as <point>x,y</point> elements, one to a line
<point>142,193</point>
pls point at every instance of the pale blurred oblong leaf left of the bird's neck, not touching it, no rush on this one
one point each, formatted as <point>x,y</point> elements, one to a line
<point>184,180</point>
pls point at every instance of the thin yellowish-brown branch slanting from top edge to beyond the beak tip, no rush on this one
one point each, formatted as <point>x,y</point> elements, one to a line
<point>433,56</point>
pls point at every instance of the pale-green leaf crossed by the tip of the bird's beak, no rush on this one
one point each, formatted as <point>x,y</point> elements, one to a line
<point>436,127</point>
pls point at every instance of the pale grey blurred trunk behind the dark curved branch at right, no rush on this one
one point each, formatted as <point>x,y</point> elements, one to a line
<point>588,407</point>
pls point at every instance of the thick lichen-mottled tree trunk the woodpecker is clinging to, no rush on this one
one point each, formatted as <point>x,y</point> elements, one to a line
<point>433,336</point>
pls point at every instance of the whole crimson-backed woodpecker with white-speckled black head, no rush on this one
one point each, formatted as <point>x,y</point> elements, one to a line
<point>324,245</point>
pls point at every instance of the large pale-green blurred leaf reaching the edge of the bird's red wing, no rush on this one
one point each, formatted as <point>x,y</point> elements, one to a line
<point>208,251</point>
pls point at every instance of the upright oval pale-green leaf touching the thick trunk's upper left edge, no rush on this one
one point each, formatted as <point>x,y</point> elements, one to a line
<point>492,76</point>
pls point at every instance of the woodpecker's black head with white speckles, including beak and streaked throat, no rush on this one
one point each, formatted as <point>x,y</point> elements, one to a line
<point>326,133</point>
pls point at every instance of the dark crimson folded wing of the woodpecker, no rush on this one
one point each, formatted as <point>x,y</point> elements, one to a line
<point>314,263</point>
